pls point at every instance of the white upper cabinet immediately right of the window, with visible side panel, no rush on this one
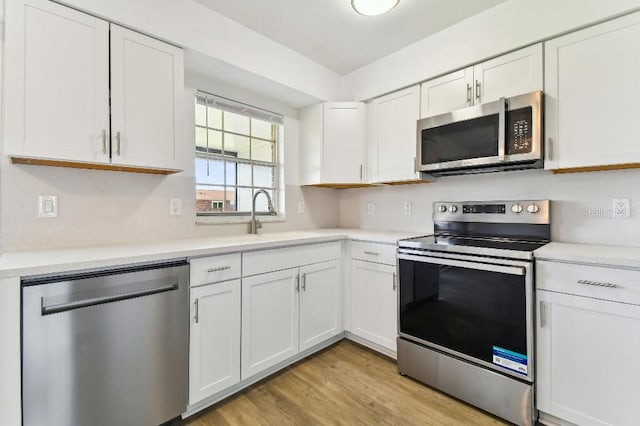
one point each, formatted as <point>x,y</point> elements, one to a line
<point>332,143</point>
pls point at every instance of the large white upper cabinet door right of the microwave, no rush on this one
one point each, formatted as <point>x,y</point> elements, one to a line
<point>592,92</point>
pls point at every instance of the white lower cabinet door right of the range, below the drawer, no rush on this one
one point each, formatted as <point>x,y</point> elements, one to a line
<point>587,359</point>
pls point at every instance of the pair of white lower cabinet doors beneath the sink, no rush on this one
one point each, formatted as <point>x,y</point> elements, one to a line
<point>288,311</point>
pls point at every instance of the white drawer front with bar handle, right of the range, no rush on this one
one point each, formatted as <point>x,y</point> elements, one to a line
<point>617,285</point>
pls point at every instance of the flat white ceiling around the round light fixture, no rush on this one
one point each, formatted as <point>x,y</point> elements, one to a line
<point>332,34</point>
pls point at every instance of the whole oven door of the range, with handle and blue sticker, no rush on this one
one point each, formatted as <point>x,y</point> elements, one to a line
<point>479,309</point>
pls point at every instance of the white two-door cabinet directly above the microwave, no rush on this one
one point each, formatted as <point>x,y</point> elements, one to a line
<point>508,75</point>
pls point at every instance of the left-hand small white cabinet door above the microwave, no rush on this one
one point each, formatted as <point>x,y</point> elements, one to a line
<point>447,93</point>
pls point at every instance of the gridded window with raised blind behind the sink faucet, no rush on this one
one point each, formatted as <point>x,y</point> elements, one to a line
<point>236,155</point>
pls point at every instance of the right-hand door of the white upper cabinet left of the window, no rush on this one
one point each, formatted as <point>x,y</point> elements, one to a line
<point>146,100</point>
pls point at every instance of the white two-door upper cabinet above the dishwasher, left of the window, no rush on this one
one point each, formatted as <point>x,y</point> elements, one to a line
<point>58,71</point>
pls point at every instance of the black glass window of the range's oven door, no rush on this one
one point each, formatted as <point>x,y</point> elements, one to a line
<point>466,310</point>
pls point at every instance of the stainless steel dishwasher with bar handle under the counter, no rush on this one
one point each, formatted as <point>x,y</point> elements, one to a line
<point>106,347</point>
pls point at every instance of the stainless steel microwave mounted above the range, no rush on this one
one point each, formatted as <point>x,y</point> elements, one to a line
<point>501,135</point>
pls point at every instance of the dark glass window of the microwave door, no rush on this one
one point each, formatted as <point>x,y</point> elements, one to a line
<point>463,140</point>
